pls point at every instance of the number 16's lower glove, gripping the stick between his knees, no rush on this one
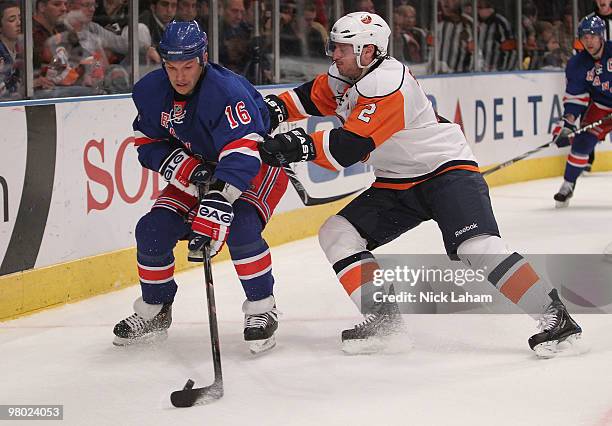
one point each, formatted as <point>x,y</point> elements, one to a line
<point>211,224</point>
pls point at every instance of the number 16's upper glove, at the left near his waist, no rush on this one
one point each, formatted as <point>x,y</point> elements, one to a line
<point>185,172</point>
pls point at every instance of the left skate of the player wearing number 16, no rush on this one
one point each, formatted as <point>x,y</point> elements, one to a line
<point>148,324</point>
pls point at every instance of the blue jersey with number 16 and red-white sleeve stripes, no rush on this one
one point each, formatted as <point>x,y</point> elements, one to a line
<point>221,122</point>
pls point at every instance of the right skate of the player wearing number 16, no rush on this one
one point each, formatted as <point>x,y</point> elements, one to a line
<point>259,327</point>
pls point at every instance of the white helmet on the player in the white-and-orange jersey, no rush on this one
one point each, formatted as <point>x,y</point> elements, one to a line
<point>360,29</point>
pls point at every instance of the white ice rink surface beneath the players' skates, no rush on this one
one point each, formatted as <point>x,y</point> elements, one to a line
<point>452,370</point>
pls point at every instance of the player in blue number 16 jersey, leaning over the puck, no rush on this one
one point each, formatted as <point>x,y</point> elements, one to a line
<point>199,123</point>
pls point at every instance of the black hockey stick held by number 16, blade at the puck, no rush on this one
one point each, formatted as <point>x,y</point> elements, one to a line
<point>188,396</point>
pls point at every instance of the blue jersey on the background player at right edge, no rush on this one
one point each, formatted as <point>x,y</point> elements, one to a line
<point>588,81</point>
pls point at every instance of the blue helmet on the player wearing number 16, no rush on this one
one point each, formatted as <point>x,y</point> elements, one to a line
<point>182,41</point>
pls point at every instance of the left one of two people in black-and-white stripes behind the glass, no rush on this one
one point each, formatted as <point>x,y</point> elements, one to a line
<point>454,38</point>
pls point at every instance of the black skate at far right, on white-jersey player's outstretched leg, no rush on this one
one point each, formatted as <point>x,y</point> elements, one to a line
<point>558,330</point>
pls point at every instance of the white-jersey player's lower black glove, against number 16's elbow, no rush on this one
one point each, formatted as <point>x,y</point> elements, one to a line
<point>284,148</point>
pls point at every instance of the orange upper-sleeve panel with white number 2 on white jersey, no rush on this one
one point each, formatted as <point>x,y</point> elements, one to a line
<point>377,118</point>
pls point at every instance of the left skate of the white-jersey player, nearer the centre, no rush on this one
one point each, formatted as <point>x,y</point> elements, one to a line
<point>372,335</point>
